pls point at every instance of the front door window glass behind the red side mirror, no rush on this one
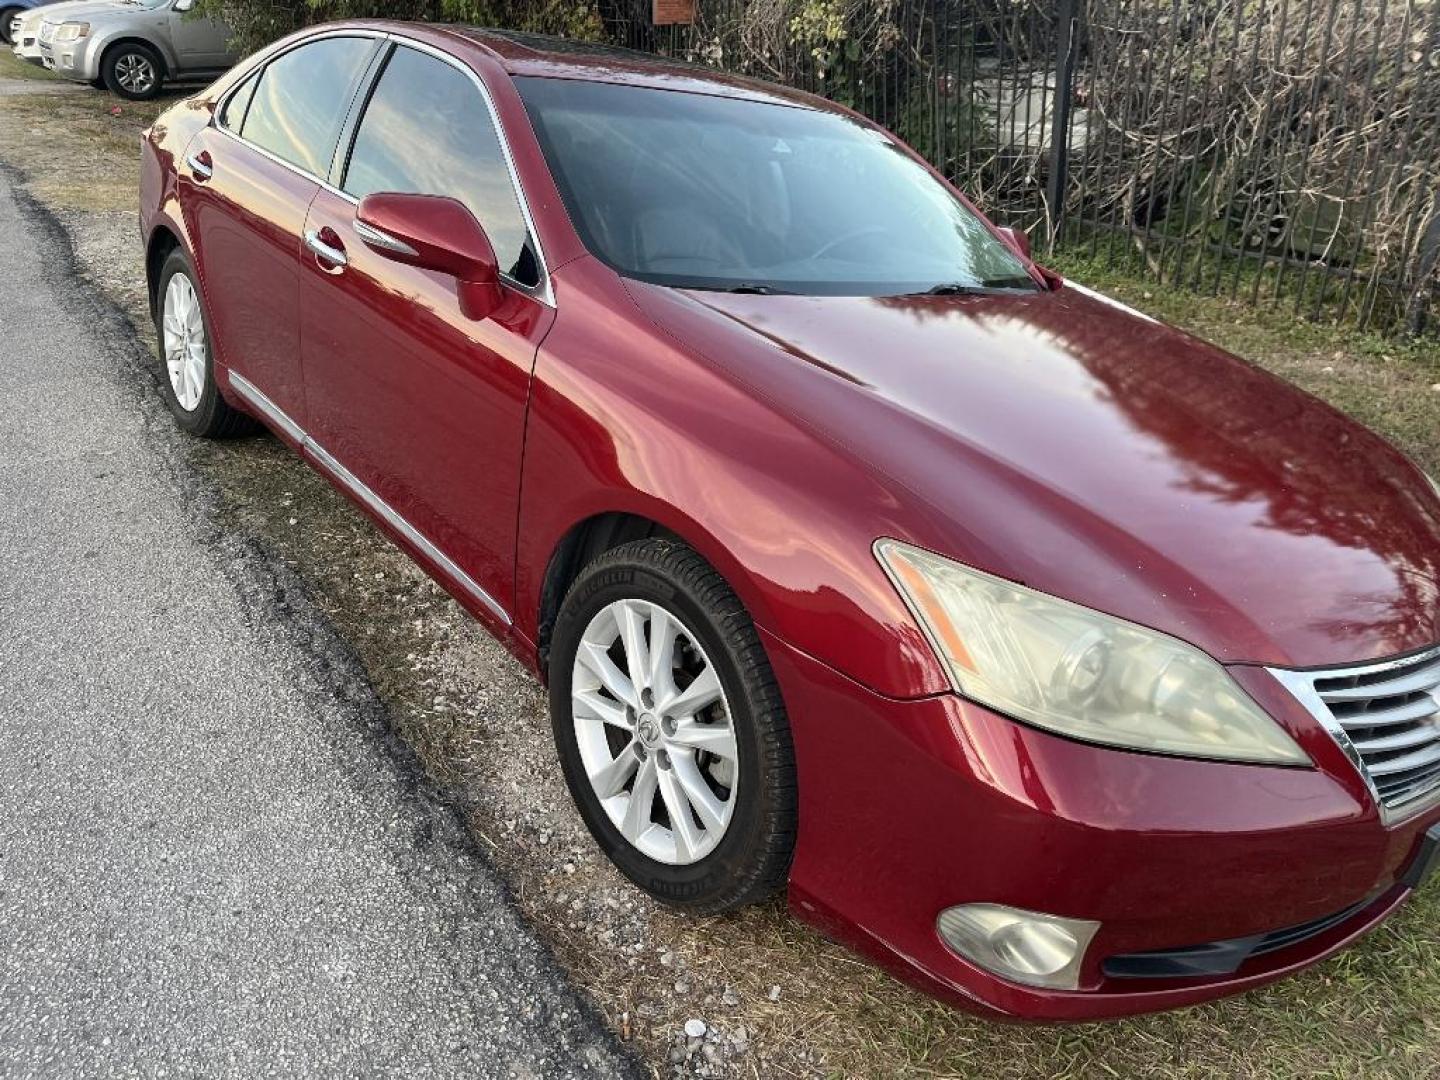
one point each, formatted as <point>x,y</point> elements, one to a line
<point>427,130</point>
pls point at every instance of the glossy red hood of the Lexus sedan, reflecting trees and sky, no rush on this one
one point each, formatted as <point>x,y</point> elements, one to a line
<point>1066,443</point>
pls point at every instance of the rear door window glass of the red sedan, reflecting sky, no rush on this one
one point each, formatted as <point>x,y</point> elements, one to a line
<point>300,104</point>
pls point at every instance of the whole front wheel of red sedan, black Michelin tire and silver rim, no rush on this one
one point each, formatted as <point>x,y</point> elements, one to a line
<point>739,840</point>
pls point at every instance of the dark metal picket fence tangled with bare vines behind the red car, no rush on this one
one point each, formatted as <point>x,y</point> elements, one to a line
<point>1287,152</point>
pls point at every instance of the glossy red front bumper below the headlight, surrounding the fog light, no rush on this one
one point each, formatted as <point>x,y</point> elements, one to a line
<point>912,807</point>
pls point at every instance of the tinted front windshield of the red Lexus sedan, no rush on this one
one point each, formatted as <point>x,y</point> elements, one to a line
<point>706,192</point>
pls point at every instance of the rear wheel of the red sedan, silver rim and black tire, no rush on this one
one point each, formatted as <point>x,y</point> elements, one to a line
<point>186,356</point>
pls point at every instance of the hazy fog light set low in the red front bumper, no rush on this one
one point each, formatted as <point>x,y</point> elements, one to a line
<point>1022,947</point>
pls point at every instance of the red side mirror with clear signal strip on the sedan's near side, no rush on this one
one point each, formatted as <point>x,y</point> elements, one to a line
<point>437,234</point>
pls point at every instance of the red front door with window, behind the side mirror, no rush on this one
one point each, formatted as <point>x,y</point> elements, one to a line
<point>426,407</point>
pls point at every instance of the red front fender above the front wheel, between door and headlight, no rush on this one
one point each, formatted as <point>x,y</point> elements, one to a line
<point>624,420</point>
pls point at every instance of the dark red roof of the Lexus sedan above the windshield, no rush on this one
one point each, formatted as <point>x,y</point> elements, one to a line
<point>565,58</point>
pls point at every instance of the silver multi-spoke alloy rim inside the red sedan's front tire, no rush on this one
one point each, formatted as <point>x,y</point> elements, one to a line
<point>656,732</point>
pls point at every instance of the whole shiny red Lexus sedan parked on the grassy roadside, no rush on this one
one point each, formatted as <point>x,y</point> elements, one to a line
<point>1059,662</point>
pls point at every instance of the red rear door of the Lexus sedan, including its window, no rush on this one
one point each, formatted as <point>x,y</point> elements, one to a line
<point>254,175</point>
